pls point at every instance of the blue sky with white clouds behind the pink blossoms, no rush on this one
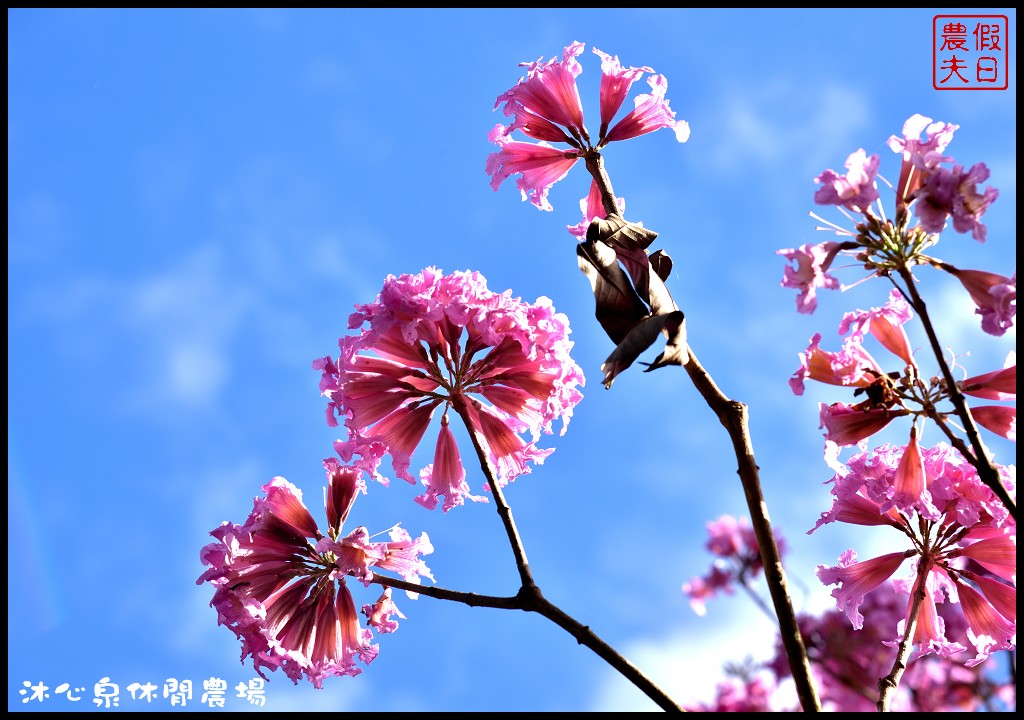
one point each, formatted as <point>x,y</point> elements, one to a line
<point>198,198</point>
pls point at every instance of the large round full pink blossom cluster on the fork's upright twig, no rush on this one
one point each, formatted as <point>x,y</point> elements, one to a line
<point>437,343</point>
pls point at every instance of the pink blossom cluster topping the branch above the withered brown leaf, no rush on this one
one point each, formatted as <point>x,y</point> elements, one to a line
<point>546,107</point>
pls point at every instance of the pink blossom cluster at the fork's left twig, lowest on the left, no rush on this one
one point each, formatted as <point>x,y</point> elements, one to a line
<point>280,582</point>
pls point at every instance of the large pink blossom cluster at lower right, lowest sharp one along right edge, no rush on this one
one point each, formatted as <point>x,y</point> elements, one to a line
<point>946,517</point>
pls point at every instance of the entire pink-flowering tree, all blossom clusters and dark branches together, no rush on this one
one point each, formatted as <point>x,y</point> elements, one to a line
<point>436,348</point>
